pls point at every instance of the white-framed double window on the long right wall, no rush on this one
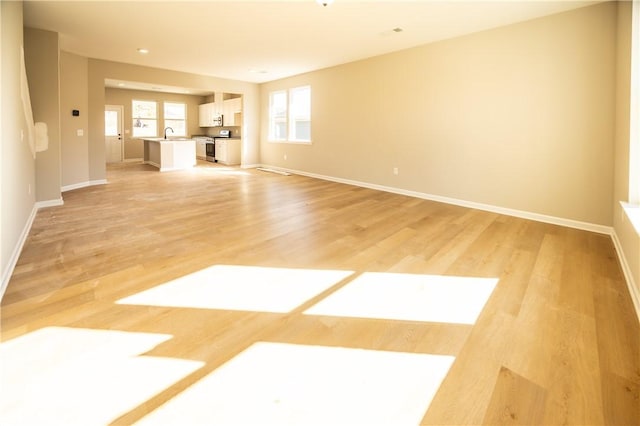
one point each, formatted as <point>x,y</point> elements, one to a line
<point>290,115</point>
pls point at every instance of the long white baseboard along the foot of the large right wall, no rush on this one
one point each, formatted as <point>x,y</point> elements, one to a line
<point>585,226</point>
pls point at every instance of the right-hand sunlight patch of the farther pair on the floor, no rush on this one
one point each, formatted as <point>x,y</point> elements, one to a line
<point>409,297</point>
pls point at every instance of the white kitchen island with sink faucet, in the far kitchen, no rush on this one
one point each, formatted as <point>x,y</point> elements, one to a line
<point>170,154</point>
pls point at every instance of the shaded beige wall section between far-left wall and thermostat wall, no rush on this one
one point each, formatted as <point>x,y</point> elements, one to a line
<point>42,61</point>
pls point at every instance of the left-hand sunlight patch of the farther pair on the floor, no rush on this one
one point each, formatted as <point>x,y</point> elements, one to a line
<point>241,288</point>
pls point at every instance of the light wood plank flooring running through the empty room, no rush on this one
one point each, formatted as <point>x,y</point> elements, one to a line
<point>558,341</point>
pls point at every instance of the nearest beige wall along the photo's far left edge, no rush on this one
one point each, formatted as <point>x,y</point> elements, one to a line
<point>17,165</point>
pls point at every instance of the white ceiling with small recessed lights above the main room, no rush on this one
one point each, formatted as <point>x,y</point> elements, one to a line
<point>260,41</point>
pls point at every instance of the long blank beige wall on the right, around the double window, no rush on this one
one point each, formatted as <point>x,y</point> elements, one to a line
<point>518,117</point>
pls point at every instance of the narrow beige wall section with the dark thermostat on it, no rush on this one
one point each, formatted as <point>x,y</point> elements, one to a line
<point>74,150</point>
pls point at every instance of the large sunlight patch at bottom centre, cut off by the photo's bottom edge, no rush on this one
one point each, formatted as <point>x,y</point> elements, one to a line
<point>280,384</point>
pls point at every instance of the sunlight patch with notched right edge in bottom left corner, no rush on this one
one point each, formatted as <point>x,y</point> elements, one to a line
<point>73,376</point>
